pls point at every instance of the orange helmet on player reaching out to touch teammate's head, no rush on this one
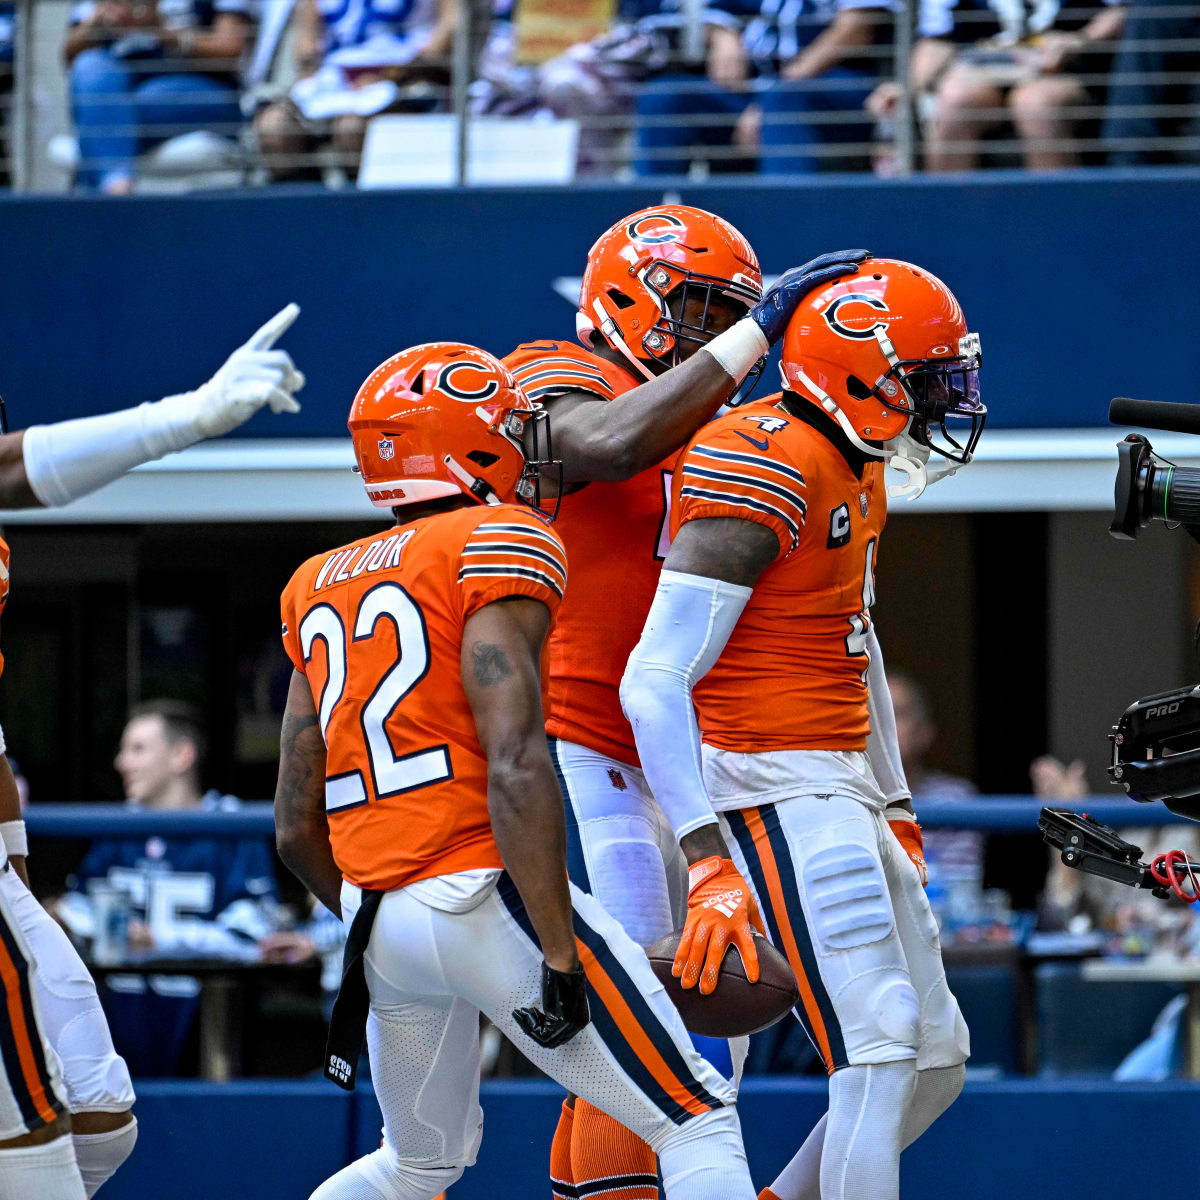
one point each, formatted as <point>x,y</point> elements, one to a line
<point>644,271</point>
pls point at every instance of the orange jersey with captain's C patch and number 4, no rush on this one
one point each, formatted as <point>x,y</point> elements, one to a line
<point>793,674</point>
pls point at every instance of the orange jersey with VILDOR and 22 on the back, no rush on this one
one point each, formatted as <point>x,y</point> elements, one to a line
<point>376,627</point>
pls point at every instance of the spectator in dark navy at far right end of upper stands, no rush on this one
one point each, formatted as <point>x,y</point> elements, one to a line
<point>1157,67</point>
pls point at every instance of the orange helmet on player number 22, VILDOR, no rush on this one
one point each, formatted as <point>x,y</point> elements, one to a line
<point>447,419</point>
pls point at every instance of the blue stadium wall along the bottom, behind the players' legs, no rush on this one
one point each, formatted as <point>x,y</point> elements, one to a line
<point>279,1141</point>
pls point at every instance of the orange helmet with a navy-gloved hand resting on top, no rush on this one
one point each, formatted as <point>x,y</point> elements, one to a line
<point>887,353</point>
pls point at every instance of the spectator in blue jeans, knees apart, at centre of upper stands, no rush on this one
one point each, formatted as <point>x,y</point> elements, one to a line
<point>793,83</point>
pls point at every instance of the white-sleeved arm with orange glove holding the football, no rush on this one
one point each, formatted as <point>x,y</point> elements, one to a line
<point>706,583</point>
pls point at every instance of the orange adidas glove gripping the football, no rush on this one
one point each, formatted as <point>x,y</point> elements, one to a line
<point>722,913</point>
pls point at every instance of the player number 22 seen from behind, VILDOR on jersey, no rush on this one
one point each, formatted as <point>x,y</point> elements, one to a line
<point>417,799</point>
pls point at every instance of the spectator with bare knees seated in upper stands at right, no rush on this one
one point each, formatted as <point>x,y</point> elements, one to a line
<point>989,65</point>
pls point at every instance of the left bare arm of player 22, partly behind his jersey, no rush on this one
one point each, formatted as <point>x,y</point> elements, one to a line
<point>302,831</point>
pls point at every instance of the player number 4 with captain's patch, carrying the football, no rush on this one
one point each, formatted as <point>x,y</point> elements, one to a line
<point>763,619</point>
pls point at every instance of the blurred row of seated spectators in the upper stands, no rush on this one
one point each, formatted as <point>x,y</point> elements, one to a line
<point>283,91</point>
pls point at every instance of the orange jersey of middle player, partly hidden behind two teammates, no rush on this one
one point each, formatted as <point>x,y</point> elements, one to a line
<point>616,538</point>
